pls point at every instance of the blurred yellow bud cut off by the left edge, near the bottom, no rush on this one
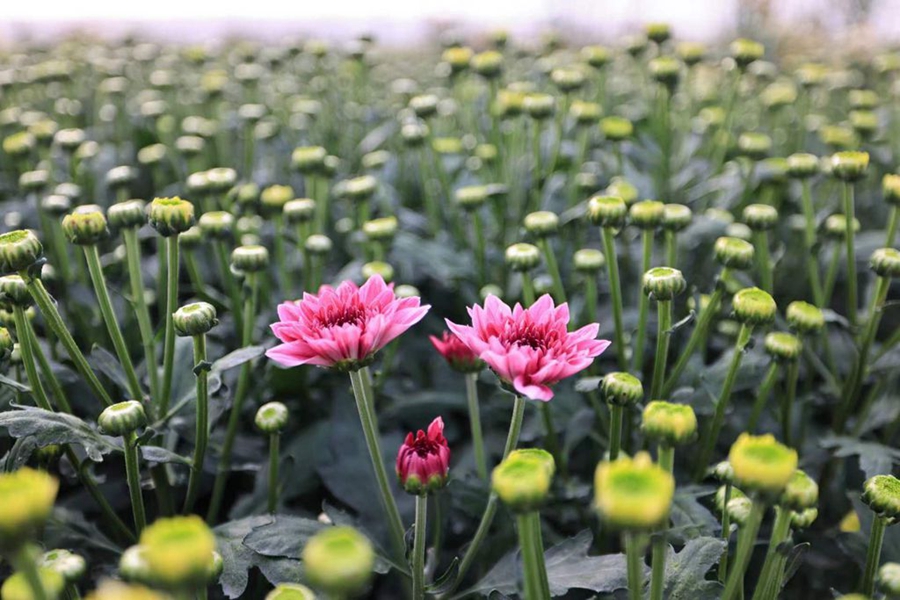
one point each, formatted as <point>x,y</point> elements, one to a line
<point>26,500</point>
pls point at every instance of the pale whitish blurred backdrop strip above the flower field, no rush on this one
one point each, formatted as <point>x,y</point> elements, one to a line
<point>404,22</point>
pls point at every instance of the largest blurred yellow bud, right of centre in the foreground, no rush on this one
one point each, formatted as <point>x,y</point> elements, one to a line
<point>633,494</point>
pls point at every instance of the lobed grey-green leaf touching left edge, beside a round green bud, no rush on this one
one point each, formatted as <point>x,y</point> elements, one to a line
<point>56,428</point>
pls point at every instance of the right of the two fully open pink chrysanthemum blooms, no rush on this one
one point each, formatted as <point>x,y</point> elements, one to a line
<point>529,348</point>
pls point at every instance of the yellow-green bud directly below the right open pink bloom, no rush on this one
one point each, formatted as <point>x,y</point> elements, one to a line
<point>522,481</point>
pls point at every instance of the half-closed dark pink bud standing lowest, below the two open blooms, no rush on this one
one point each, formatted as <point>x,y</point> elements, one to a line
<point>424,460</point>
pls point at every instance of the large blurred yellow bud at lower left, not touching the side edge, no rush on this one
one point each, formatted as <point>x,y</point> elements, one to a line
<point>178,551</point>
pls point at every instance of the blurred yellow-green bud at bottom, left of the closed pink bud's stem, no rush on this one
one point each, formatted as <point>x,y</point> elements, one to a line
<point>339,561</point>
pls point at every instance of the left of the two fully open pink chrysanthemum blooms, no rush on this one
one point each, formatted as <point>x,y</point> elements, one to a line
<point>342,327</point>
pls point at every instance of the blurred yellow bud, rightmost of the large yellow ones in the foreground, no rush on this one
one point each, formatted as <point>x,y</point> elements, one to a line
<point>762,464</point>
